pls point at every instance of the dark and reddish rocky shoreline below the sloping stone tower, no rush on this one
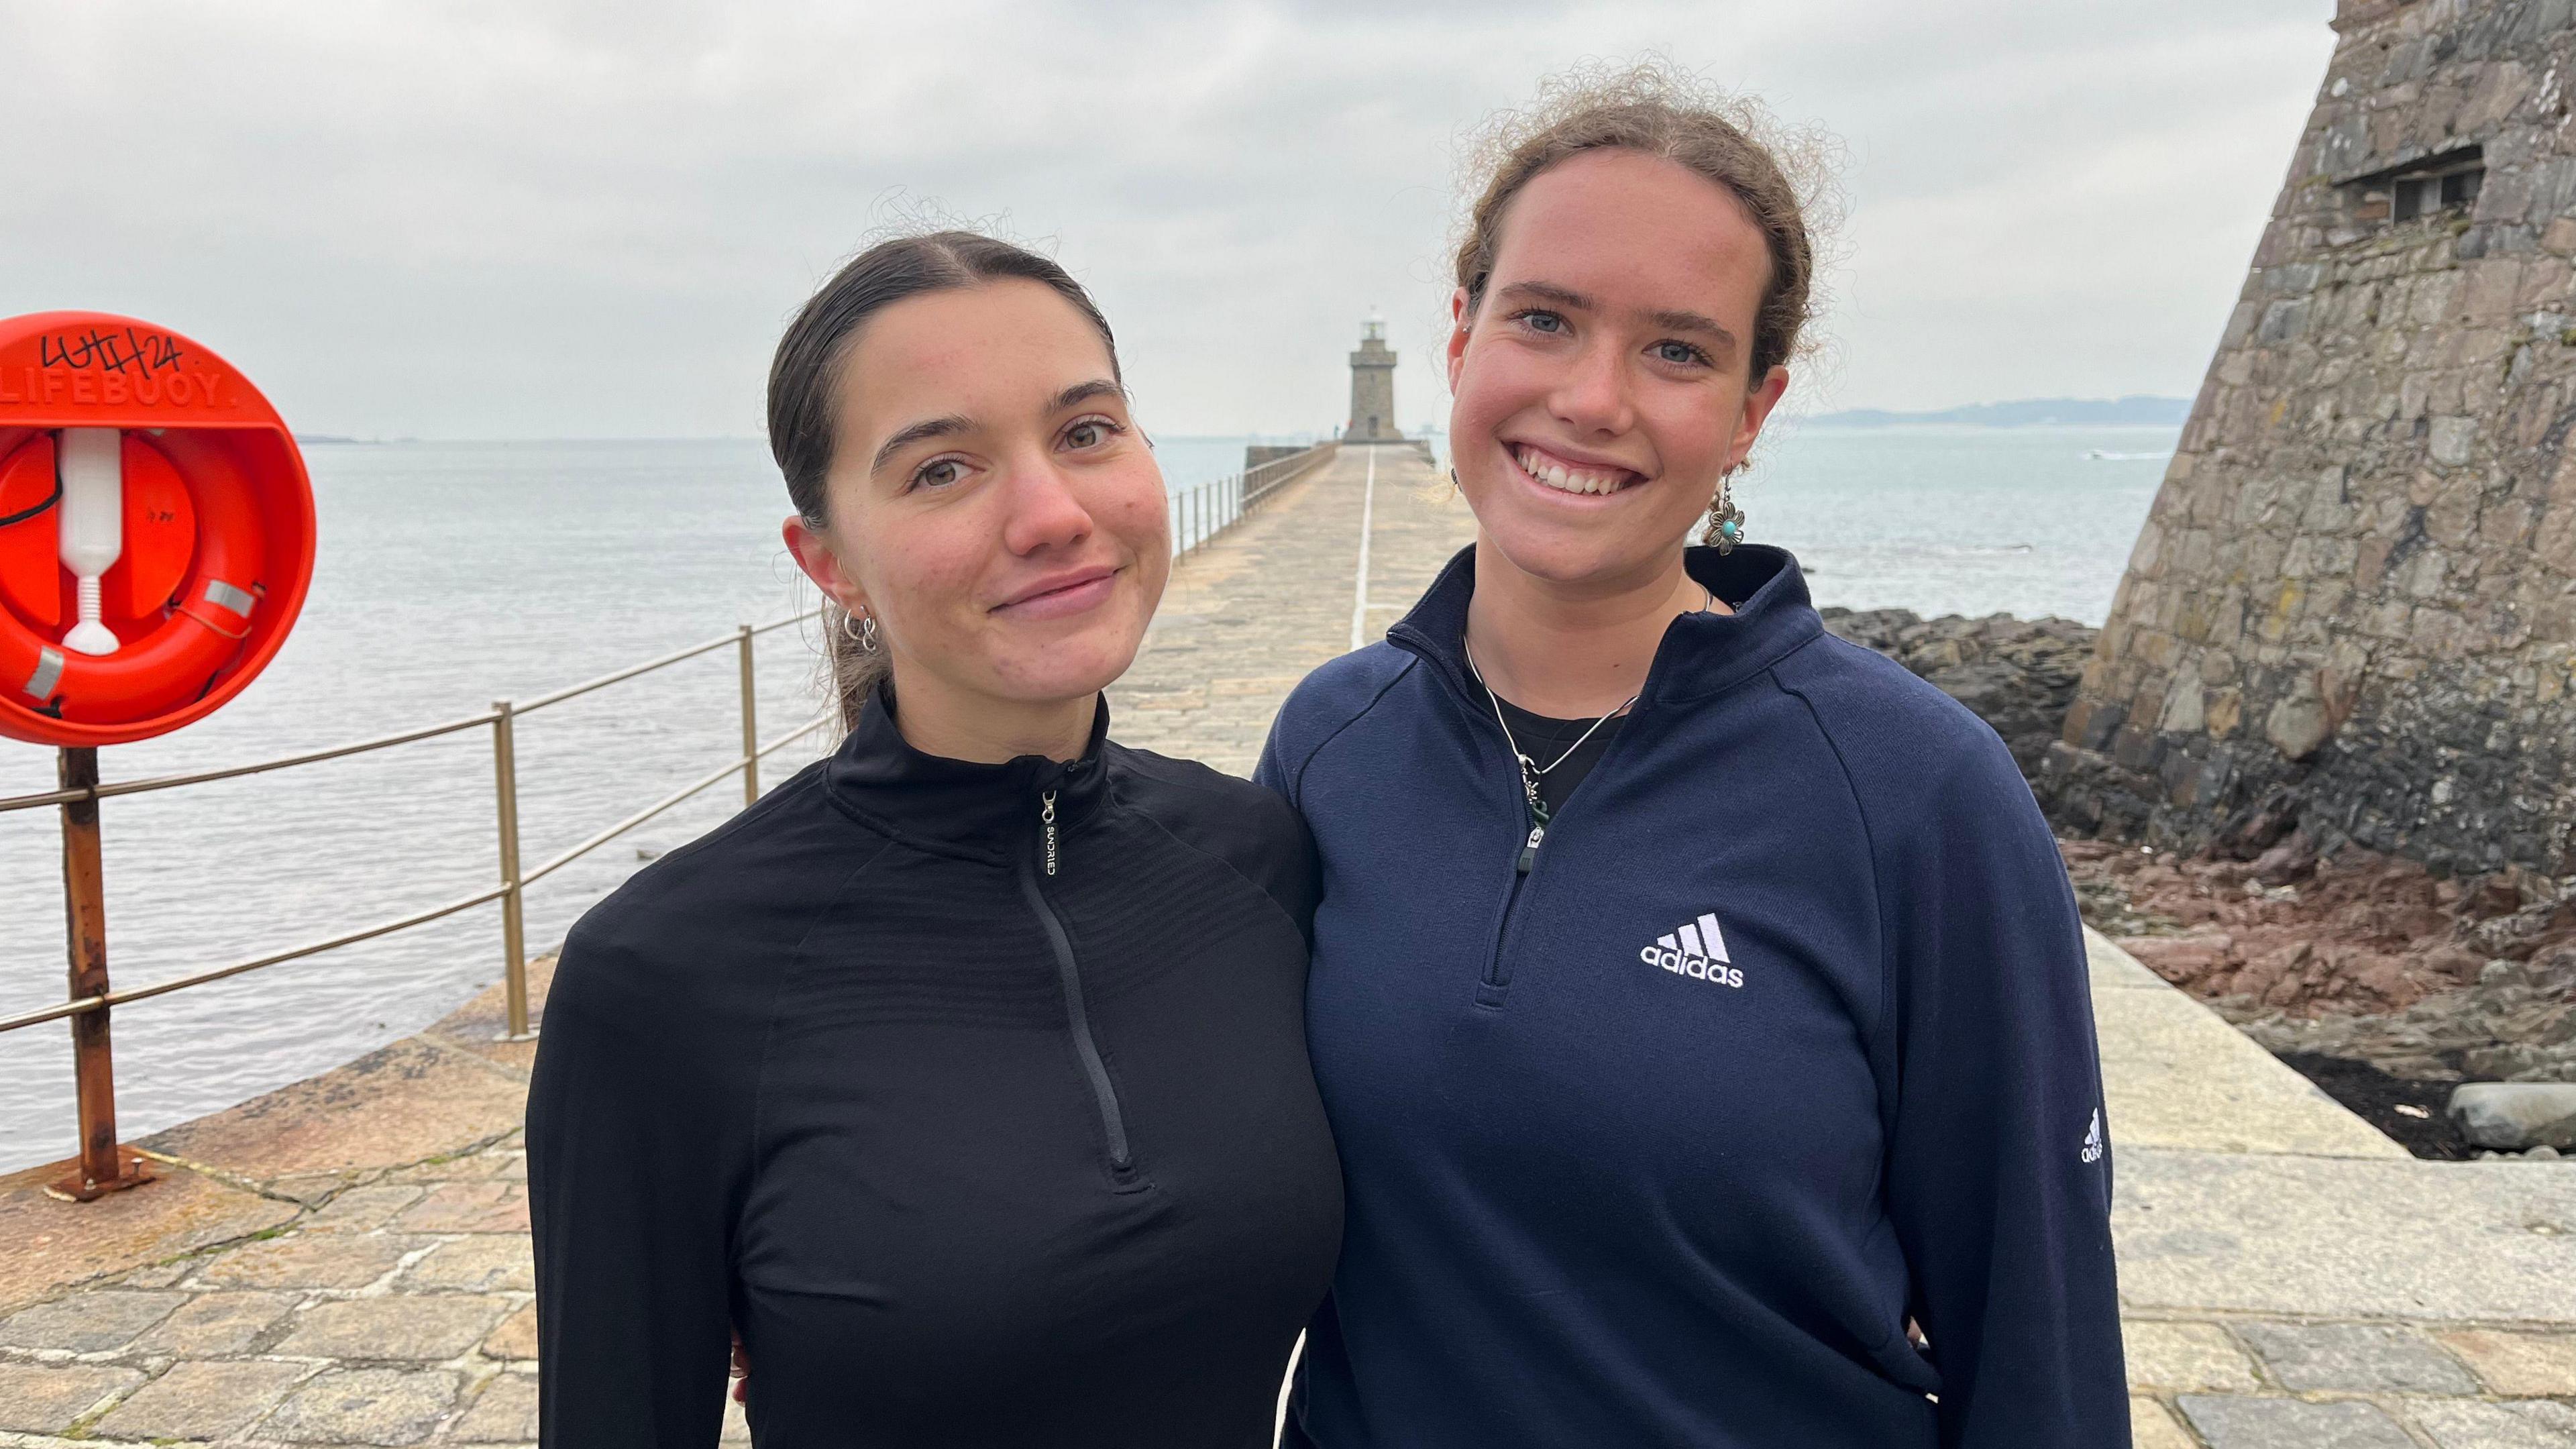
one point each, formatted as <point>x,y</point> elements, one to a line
<point>2369,973</point>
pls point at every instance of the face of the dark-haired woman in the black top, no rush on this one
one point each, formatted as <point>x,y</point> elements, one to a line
<point>993,504</point>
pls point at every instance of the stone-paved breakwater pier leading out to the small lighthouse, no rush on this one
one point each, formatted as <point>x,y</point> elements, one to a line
<point>346,1259</point>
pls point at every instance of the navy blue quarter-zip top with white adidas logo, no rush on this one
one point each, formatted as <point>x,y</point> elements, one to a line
<point>1665,1131</point>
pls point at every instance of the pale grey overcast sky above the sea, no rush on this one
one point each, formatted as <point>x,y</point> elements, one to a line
<point>532,218</point>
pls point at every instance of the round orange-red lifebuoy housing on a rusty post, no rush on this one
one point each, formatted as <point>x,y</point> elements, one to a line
<point>156,530</point>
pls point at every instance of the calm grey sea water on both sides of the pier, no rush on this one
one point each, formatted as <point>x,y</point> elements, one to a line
<point>460,574</point>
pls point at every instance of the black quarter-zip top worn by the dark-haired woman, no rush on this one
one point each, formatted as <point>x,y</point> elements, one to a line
<point>975,1097</point>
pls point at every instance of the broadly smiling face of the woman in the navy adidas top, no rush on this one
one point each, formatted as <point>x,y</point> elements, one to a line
<point>1601,385</point>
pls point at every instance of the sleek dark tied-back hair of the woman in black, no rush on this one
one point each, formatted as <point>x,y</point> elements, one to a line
<point>810,383</point>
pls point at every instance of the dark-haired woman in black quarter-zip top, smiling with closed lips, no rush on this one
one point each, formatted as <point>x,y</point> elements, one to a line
<point>965,1074</point>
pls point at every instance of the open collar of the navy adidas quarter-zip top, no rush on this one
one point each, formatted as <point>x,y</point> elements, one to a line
<point>1701,654</point>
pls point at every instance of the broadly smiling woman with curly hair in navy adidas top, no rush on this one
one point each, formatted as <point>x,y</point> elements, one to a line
<point>1699,1002</point>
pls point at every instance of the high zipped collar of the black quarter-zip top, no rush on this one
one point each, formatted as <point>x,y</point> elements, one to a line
<point>960,808</point>
